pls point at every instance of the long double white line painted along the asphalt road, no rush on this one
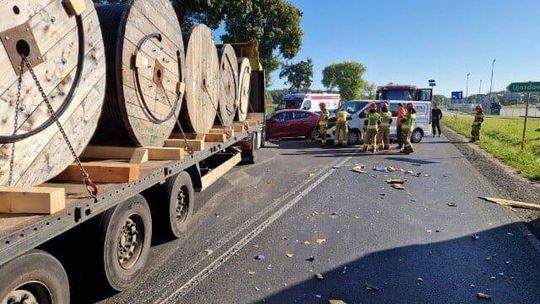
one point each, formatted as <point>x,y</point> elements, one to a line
<point>213,266</point>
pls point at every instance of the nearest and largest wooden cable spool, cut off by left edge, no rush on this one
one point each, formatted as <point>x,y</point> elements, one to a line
<point>63,44</point>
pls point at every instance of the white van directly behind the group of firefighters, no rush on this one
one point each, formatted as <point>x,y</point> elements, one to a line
<point>359,108</point>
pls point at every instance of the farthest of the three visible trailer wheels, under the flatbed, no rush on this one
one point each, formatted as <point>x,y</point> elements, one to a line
<point>173,205</point>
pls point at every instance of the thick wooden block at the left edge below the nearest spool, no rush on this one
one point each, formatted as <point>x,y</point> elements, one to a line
<point>36,200</point>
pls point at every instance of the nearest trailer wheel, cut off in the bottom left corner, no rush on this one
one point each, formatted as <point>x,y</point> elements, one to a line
<point>34,277</point>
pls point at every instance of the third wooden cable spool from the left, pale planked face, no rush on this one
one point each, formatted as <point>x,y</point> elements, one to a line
<point>202,81</point>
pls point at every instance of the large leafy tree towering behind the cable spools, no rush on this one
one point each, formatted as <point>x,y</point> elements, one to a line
<point>275,24</point>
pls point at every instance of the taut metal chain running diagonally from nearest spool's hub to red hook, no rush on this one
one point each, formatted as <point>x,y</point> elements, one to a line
<point>90,186</point>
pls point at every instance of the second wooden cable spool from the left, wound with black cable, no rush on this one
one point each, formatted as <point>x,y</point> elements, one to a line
<point>145,71</point>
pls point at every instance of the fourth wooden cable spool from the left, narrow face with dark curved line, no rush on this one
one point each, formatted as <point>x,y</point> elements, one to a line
<point>228,100</point>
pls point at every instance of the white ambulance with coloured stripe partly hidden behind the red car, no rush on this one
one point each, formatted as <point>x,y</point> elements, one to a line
<point>309,102</point>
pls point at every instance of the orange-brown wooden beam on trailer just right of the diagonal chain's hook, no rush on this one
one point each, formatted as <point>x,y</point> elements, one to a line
<point>102,172</point>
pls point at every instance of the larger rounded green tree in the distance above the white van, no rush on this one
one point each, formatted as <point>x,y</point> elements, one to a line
<point>347,77</point>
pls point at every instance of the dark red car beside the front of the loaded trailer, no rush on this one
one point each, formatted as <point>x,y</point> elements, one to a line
<point>291,123</point>
